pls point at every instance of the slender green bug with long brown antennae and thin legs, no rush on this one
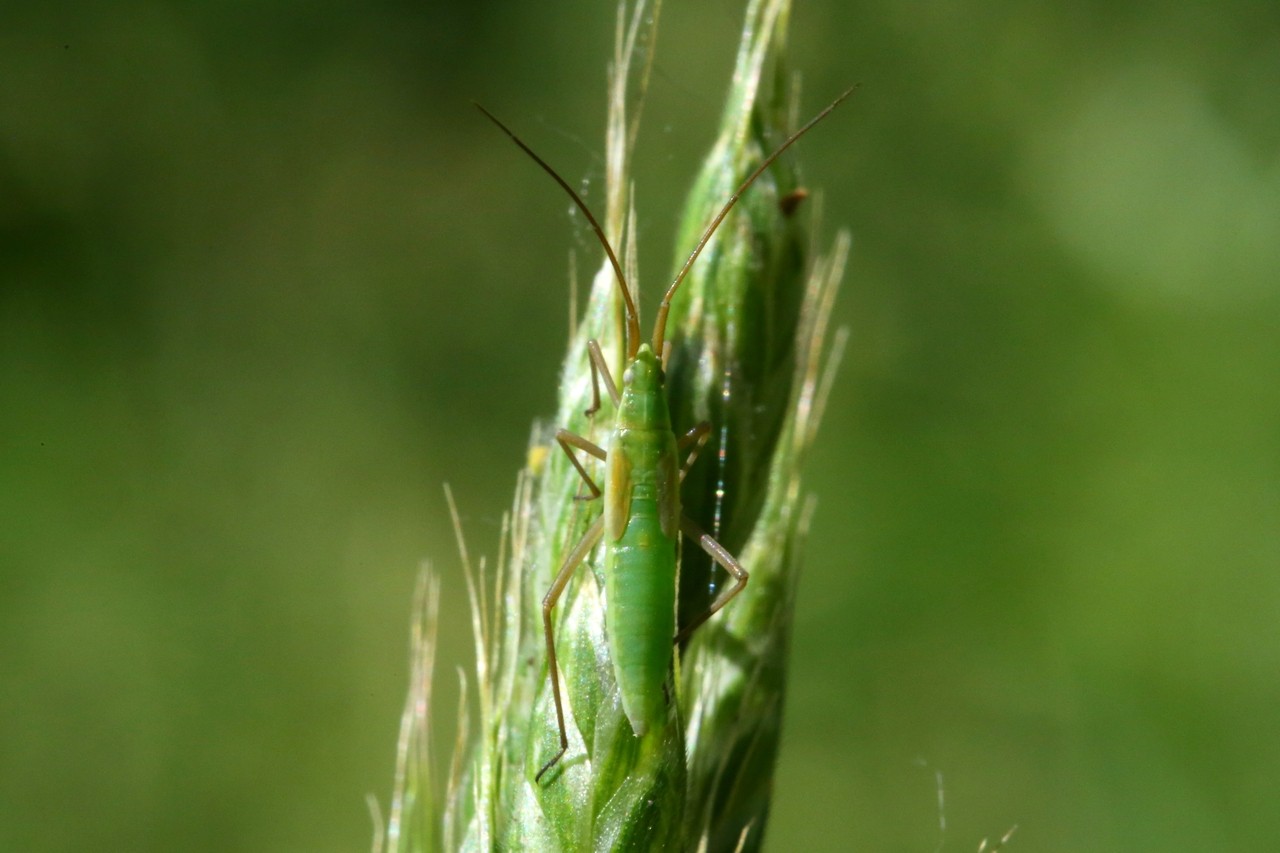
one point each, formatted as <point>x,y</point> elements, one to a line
<point>643,521</point>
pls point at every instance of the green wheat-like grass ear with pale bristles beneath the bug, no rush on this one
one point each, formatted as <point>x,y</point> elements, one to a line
<point>748,340</point>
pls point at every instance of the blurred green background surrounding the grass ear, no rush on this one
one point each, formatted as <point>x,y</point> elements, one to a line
<point>269,281</point>
